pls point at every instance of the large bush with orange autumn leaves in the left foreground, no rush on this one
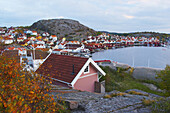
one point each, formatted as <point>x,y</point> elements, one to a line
<point>21,91</point>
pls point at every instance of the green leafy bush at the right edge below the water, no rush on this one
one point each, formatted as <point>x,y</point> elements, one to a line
<point>164,75</point>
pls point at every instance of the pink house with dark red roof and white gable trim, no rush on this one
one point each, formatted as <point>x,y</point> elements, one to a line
<point>74,72</point>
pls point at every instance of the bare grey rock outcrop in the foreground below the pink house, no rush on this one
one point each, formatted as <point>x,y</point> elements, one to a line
<point>86,102</point>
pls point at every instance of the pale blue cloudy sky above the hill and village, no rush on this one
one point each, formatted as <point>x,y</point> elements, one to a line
<point>101,15</point>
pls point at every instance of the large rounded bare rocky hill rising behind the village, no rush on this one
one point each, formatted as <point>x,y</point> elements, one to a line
<point>63,28</point>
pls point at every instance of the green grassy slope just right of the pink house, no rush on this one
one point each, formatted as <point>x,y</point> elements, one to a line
<point>122,81</point>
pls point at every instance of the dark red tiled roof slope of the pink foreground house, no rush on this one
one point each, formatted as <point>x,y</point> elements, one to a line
<point>61,67</point>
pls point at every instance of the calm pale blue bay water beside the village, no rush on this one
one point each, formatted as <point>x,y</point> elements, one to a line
<point>155,57</point>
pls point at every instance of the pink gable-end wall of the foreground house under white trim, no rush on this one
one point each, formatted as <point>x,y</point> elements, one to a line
<point>86,82</point>
